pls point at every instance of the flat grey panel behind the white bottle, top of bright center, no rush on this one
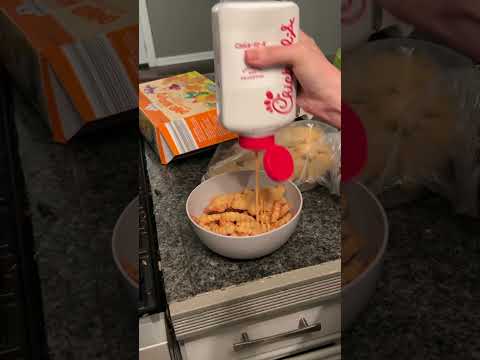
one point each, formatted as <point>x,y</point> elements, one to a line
<point>183,27</point>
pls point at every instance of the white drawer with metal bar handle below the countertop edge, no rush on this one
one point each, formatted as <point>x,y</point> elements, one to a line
<point>273,338</point>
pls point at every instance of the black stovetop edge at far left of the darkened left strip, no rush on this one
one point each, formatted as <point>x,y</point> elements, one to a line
<point>22,334</point>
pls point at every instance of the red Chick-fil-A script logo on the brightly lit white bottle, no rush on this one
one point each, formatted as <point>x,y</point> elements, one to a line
<point>282,103</point>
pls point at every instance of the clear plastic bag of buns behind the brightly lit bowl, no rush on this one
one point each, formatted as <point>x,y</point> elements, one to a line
<point>315,147</point>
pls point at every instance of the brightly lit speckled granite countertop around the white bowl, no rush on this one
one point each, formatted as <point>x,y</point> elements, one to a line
<point>189,268</point>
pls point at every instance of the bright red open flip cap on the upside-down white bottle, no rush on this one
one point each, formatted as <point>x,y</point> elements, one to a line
<point>277,161</point>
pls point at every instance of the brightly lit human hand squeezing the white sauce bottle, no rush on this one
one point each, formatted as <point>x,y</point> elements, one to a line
<point>320,81</point>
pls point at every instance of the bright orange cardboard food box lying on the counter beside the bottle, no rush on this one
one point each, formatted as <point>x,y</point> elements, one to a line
<point>178,115</point>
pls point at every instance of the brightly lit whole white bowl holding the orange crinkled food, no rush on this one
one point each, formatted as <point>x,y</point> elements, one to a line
<point>241,247</point>
